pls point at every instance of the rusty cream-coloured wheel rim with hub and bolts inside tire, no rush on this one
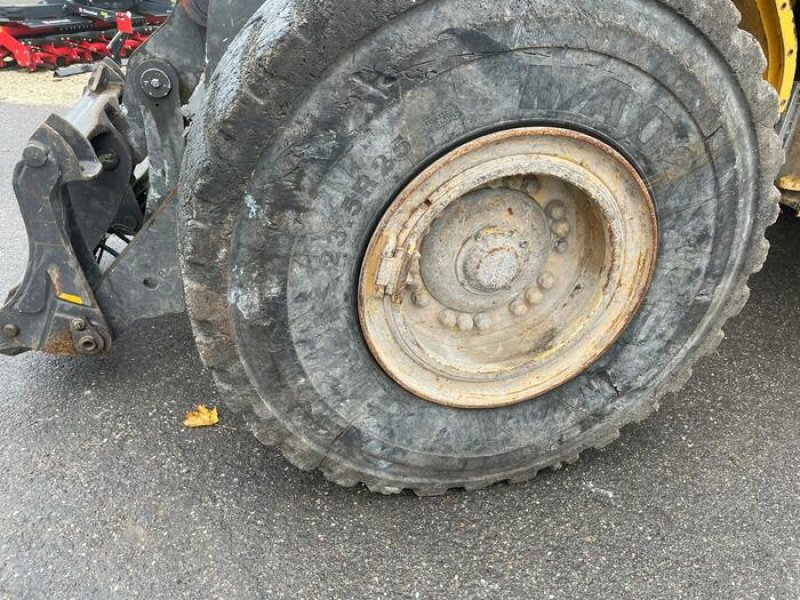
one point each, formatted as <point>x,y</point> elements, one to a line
<point>508,267</point>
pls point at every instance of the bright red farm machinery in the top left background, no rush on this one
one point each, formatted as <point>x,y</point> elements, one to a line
<point>50,34</point>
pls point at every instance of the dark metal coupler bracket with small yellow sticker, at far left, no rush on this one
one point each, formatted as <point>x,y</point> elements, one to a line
<point>57,288</point>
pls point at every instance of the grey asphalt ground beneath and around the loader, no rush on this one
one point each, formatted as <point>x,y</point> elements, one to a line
<point>104,494</point>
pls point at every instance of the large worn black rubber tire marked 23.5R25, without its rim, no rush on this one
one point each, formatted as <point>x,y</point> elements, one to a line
<point>321,111</point>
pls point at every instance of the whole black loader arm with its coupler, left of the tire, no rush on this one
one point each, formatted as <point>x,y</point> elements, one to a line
<point>96,190</point>
